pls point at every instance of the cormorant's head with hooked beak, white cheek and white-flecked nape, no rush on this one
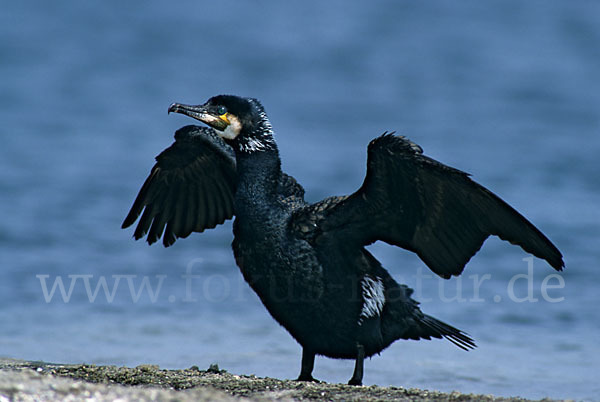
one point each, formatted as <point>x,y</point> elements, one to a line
<point>242,122</point>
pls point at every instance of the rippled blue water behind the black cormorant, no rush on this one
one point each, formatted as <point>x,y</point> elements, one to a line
<point>506,90</point>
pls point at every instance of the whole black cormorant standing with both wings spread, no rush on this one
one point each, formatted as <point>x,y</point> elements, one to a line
<point>308,262</point>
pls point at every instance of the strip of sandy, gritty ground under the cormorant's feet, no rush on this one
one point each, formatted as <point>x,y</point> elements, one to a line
<point>33,381</point>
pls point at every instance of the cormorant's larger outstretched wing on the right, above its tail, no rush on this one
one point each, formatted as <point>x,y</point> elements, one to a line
<point>412,201</point>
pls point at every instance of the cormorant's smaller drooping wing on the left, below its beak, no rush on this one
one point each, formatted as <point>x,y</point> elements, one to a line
<point>189,189</point>
